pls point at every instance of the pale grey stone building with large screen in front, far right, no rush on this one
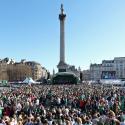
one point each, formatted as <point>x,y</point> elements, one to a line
<point>108,69</point>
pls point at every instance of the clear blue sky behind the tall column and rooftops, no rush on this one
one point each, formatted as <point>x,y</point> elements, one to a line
<point>95,30</point>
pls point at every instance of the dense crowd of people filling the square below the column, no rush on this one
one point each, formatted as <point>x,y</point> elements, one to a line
<point>81,104</point>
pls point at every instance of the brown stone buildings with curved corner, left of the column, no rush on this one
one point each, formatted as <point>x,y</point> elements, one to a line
<point>18,71</point>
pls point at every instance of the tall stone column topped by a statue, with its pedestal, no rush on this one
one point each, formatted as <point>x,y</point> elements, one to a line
<point>62,66</point>
